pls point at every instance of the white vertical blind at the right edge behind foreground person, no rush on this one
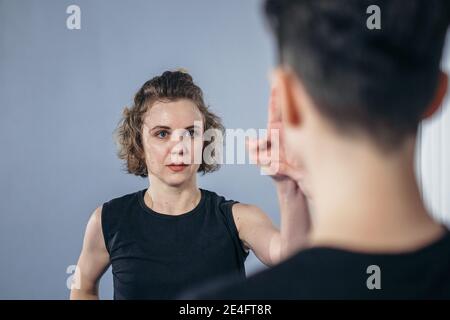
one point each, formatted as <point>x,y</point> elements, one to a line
<point>433,156</point>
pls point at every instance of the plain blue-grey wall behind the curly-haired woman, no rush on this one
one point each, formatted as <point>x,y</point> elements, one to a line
<point>61,95</point>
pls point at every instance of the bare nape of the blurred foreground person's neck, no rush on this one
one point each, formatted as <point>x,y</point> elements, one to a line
<point>373,204</point>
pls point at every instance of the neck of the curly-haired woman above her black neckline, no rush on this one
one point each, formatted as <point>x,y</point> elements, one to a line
<point>172,200</point>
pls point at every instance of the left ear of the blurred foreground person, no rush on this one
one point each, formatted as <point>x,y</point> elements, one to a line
<point>284,82</point>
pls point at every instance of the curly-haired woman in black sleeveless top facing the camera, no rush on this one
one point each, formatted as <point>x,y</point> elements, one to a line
<point>174,235</point>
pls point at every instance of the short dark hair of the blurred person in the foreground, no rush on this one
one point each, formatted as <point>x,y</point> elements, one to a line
<point>379,81</point>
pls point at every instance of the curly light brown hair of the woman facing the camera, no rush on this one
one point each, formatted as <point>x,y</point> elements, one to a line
<point>170,86</point>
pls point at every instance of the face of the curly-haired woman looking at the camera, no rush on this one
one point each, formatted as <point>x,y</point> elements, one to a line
<point>173,139</point>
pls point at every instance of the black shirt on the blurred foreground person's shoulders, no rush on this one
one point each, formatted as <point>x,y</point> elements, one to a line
<point>330,273</point>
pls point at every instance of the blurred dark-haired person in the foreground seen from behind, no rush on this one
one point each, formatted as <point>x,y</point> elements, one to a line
<point>349,100</point>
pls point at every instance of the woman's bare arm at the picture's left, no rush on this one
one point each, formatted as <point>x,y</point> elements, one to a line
<point>94,258</point>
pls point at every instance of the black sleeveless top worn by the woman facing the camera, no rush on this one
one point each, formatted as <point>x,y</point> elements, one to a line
<point>158,256</point>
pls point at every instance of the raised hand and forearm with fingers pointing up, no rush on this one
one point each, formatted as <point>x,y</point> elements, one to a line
<point>271,154</point>
